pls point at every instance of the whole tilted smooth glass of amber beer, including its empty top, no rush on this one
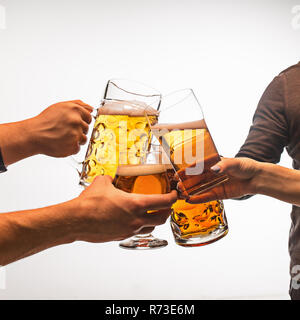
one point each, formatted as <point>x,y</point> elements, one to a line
<point>184,135</point>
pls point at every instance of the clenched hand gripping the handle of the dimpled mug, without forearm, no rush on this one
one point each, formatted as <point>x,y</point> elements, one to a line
<point>62,128</point>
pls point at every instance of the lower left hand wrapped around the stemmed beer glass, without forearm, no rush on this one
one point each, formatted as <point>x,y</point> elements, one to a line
<point>106,213</point>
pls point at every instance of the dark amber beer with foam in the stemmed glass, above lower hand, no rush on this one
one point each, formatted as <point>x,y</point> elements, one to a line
<point>142,179</point>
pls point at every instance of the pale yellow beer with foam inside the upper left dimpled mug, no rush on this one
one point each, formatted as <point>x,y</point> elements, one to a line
<point>121,134</point>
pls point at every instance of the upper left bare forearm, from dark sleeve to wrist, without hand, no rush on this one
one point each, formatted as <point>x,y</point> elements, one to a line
<point>17,141</point>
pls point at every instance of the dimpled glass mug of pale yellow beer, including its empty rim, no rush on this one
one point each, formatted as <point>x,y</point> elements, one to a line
<point>121,132</point>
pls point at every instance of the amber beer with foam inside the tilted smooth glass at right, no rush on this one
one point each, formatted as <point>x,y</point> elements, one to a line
<point>192,152</point>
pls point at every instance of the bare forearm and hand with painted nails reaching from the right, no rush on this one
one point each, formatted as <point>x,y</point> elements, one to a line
<point>247,176</point>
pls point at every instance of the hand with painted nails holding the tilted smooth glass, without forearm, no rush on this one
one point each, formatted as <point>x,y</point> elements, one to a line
<point>241,173</point>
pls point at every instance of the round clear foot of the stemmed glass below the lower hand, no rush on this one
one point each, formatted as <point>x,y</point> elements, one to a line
<point>143,242</point>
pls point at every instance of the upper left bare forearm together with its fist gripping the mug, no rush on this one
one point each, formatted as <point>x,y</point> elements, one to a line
<point>58,131</point>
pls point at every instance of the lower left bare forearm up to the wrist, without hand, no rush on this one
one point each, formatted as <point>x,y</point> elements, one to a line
<point>25,233</point>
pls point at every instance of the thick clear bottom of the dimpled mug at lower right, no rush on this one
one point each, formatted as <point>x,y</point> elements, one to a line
<point>197,241</point>
